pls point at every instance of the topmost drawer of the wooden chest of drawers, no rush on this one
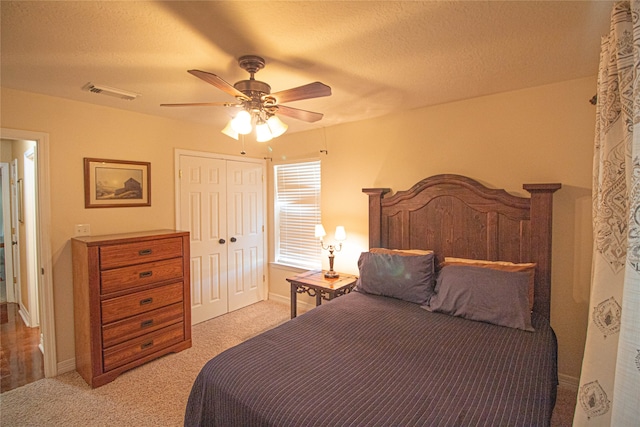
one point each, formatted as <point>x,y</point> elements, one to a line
<point>121,255</point>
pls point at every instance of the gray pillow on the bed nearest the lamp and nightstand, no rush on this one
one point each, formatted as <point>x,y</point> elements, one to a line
<point>409,278</point>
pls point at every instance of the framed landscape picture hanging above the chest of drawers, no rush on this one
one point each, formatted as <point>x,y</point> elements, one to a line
<point>116,183</point>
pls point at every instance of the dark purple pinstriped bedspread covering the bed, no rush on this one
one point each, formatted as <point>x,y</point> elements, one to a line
<point>363,360</point>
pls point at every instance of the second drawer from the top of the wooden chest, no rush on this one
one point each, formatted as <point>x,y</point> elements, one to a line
<point>119,279</point>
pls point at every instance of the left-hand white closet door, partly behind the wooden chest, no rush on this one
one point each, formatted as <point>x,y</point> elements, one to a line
<point>203,213</point>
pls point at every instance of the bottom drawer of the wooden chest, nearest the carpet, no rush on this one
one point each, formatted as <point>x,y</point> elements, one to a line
<point>136,348</point>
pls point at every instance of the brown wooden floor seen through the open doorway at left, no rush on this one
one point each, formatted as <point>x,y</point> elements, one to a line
<point>21,359</point>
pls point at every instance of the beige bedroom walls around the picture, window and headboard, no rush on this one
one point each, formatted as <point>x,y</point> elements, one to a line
<point>543,134</point>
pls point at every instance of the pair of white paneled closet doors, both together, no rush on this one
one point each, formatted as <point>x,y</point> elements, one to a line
<point>222,206</point>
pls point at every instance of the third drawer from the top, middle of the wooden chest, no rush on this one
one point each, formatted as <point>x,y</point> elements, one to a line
<point>118,308</point>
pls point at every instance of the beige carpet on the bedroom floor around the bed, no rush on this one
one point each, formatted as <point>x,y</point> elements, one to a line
<point>156,393</point>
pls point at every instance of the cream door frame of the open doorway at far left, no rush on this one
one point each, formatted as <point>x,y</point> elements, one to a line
<point>43,228</point>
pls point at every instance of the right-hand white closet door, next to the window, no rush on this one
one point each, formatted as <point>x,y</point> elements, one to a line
<point>246,233</point>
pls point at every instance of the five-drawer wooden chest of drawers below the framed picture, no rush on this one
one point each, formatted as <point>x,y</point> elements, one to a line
<point>131,296</point>
